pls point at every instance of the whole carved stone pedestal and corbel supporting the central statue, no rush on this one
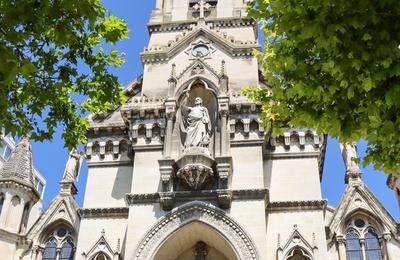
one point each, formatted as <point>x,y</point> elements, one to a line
<point>195,167</point>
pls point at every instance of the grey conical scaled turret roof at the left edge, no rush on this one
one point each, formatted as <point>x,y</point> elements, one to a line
<point>20,164</point>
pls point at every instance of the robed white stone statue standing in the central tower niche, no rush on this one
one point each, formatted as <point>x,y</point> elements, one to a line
<point>196,124</point>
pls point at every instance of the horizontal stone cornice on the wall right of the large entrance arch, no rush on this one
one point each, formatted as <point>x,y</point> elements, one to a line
<point>297,205</point>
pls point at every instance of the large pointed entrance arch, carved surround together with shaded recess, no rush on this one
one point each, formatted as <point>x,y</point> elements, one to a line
<point>225,235</point>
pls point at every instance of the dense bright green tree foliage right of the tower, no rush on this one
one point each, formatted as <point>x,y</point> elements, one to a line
<point>334,65</point>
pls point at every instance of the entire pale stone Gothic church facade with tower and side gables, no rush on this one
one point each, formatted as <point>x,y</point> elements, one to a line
<point>185,170</point>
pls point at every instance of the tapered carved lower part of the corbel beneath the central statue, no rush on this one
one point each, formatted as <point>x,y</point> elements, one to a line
<point>194,175</point>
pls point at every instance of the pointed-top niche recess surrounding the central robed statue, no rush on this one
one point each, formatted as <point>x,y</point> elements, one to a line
<point>186,95</point>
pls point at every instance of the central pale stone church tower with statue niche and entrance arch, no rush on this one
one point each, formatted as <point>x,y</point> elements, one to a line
<point>199,165</point>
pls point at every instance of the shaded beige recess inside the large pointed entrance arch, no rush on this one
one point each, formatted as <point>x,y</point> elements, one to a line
<point>184,244</point>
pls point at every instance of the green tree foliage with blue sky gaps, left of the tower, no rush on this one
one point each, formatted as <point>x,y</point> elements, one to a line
<point>42,44</point>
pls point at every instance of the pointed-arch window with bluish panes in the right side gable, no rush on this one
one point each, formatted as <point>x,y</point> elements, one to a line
<point>362,241</point>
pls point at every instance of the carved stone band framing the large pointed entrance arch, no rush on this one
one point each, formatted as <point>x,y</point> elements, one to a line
<point>202,212</point>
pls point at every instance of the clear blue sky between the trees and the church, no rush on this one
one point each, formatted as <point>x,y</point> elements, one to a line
<point>50,157</point>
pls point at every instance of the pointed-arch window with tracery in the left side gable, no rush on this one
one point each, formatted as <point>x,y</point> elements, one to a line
<point>59,245</point>
